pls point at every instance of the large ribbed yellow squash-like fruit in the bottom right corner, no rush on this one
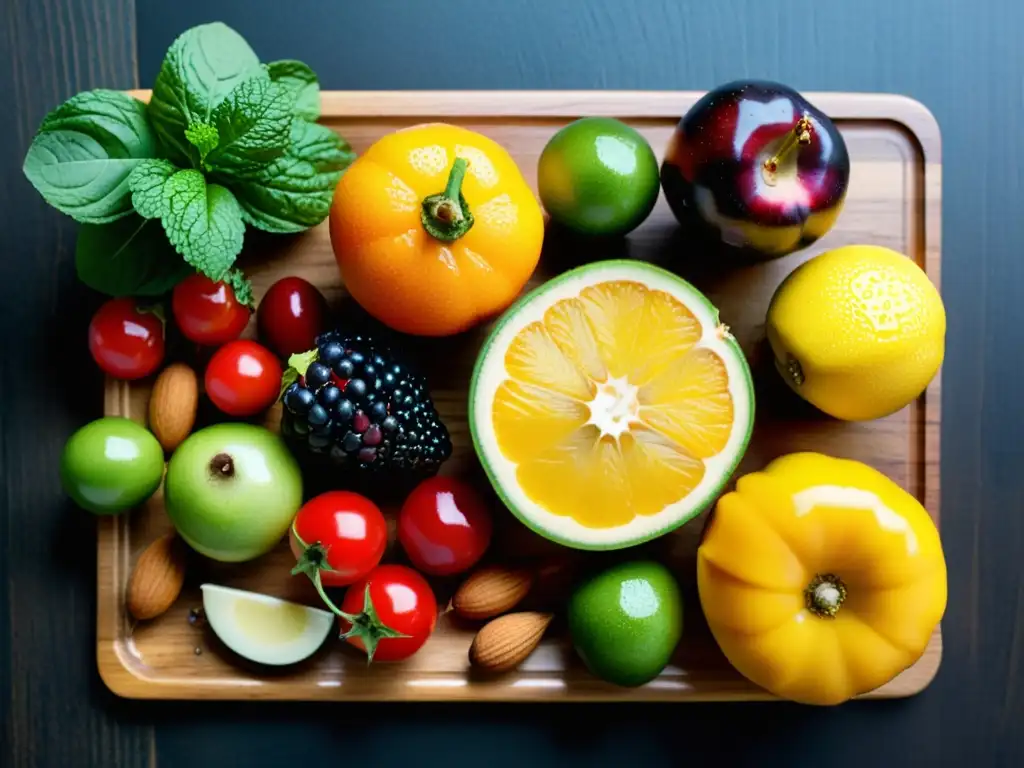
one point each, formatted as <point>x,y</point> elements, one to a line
<point>804,517</point>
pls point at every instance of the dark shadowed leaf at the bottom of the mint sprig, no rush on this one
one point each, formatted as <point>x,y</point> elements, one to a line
<point>129,258</point>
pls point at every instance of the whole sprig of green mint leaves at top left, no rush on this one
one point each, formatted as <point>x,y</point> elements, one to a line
<point>224,142</point>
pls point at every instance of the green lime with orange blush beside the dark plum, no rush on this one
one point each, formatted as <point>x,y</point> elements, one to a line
<point>599,177</point>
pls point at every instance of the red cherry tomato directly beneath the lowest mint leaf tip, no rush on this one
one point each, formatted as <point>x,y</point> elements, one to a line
<point>208,313</point>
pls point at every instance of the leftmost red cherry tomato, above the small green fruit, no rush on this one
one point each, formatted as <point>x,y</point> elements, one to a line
<point>125,343</point>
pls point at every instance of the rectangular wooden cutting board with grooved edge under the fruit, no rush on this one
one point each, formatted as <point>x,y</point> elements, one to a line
<point>894,200</point>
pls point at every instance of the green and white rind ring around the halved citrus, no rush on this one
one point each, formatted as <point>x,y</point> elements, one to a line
<point>700,505</point>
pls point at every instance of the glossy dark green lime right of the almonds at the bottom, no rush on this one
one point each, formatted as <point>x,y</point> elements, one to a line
<point>626,622</point>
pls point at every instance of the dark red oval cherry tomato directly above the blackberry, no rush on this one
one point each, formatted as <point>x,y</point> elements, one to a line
<point>290,316</point>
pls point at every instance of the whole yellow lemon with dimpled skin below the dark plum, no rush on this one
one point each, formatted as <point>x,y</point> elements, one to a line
<point>859,332</point>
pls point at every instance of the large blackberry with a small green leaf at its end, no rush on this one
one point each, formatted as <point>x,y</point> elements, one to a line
<point>360,408</point>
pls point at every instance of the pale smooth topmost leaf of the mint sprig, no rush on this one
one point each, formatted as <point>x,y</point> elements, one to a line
<point>201,68</point>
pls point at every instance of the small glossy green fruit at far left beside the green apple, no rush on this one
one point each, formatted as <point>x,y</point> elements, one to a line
<point>111,465</point>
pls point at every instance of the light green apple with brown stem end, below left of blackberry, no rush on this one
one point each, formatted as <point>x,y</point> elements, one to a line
<point>232,491</point>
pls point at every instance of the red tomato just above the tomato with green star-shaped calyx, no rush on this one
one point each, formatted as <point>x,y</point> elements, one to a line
<point>350,527</point>
